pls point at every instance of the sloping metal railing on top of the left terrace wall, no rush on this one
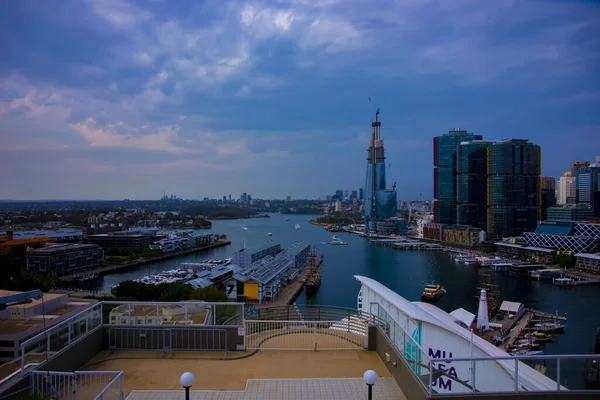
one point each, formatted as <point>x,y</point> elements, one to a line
<point>45,345</point>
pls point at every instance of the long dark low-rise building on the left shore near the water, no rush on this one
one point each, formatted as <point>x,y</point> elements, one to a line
<point>64,258</point>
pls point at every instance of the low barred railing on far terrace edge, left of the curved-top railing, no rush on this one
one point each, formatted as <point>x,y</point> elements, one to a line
<point>167,338</point>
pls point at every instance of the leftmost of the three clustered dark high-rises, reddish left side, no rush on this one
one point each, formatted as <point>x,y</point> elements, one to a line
<point>444,173</point>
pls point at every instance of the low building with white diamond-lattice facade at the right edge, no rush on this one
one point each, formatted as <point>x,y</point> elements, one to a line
<point>577,237</point>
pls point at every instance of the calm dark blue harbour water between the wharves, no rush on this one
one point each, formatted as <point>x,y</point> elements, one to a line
<point>405,272</point>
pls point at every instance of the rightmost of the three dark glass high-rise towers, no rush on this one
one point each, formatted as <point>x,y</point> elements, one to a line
<point>514,190</point>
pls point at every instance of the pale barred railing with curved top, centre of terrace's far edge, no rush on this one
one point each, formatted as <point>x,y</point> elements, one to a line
<point>306,335</point>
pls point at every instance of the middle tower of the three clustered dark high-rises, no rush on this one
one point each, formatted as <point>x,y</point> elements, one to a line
<point>471,183</point>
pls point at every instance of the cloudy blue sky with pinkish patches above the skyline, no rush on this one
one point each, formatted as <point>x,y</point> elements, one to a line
<point>114,99</point>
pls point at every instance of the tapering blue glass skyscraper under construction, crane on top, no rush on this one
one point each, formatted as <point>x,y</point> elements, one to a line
<point>380,203</point>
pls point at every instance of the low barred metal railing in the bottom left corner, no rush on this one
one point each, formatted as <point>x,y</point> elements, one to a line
<point>78,385</point>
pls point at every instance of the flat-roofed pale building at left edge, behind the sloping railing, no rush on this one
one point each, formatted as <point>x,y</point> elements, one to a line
<point>25,314</point>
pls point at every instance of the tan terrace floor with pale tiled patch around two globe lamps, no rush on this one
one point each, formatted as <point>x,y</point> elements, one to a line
<point>299,373</point>
